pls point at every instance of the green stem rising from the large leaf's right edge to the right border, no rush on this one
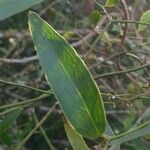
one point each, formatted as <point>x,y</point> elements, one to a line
<point>121,72</point>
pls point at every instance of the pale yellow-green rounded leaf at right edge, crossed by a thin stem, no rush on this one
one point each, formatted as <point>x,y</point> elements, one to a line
<point>145,18</point>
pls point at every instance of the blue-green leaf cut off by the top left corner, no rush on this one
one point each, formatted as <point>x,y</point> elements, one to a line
<point>11,7</point>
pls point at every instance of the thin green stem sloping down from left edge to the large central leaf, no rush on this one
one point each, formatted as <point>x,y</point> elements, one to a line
<point>24,86</point>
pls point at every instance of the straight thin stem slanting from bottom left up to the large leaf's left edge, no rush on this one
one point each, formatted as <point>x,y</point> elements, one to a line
<point>36,127</point>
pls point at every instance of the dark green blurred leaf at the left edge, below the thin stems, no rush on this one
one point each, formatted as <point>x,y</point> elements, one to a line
<point>9,119</point>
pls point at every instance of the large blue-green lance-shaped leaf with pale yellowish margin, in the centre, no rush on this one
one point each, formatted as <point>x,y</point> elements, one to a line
<point>69,79</point>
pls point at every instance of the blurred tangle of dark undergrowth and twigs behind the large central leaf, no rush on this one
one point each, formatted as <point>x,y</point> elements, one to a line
<point>126,96</point>
